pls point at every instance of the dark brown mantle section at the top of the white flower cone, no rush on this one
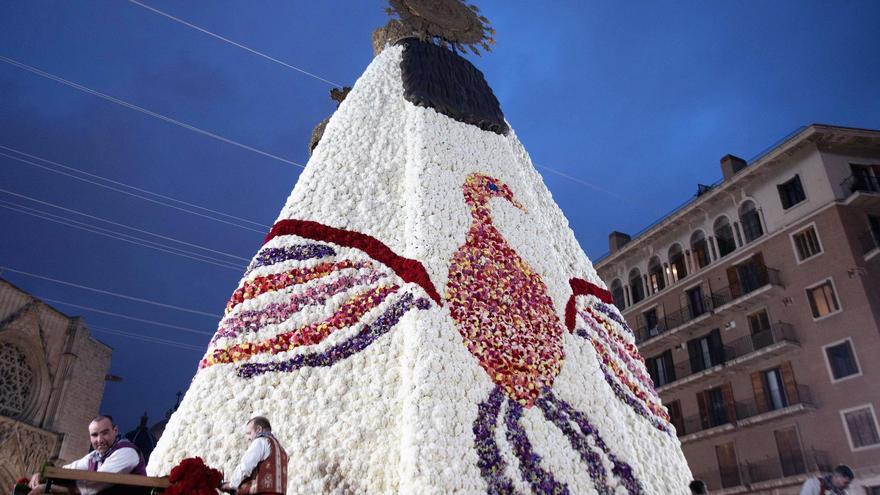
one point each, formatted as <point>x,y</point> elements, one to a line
<point>437,78</point>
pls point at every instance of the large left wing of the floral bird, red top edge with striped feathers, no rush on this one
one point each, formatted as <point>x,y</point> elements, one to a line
<point>313,295</point>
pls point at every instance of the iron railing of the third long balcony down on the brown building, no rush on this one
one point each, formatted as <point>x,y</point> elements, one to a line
<point>721,414</point>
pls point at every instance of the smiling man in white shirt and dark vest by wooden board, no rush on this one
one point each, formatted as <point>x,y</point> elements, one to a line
<point>112,454</point>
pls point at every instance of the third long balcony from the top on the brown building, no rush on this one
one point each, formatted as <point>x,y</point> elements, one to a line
<point>747,413</point>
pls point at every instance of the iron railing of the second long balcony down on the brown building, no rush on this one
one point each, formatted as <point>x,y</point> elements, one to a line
<point>778,332</point>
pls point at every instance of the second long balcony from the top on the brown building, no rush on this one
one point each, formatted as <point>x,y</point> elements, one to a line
<point>738,355</point>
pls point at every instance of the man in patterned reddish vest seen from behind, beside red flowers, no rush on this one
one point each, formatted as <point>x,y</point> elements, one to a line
<point>263,468</point>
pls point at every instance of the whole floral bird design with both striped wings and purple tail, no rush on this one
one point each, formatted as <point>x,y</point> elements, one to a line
<point>499,304</point>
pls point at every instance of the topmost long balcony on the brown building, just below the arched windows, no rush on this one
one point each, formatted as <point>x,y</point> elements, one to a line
<point>700,313</point>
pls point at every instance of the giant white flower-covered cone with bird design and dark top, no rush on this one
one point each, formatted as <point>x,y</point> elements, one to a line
<point>421,318</point>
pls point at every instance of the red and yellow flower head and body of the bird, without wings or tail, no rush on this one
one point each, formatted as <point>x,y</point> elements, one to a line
<point>500,304</point>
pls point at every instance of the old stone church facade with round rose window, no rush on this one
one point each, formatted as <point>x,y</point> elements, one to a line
<point>52,375</point>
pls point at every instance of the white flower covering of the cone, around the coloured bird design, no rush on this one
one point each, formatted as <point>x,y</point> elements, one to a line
<point>398,417</point>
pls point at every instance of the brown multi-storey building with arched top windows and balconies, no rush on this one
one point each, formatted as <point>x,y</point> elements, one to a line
<point>757,309</point>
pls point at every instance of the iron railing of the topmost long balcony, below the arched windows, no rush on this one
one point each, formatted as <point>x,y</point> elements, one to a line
<point>760,277</point>
